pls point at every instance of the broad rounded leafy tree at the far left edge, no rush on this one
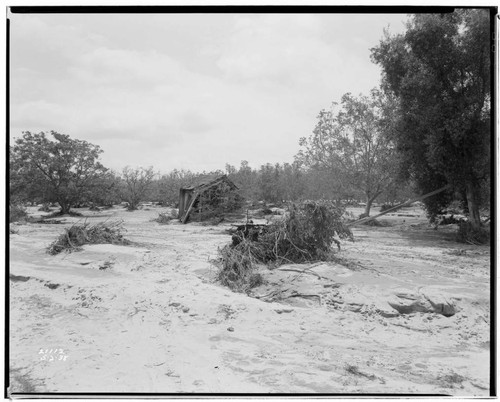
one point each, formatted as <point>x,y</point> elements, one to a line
<point>62,170</point>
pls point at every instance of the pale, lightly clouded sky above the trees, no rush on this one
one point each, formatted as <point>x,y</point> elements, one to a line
<point>188,91</point>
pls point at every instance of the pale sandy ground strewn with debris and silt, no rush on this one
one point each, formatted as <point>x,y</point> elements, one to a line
<point>407,312</point>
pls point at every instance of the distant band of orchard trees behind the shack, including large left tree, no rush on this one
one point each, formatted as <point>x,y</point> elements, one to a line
<point>56,169</point>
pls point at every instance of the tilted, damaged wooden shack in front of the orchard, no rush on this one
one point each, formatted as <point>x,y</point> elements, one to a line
<point>208,199</point>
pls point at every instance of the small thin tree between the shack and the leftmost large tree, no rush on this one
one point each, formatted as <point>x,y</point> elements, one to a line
<point>137,183</point>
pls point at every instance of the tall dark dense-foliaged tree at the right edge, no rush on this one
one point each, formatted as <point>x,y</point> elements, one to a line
<point>439,70</point>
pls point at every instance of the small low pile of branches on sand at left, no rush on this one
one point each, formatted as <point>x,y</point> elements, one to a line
<point>79,234</point>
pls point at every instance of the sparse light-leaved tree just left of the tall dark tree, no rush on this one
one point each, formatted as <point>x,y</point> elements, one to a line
<point>352,147</point>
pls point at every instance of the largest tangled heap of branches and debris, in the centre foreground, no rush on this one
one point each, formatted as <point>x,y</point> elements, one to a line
<point>306,233</point>
